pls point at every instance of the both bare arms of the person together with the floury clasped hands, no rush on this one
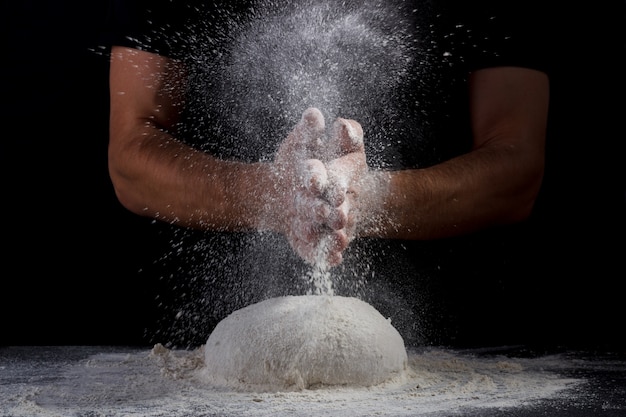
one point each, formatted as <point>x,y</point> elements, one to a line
<point>319,193</point>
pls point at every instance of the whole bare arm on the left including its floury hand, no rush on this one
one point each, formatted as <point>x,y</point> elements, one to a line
<point>156,175</point>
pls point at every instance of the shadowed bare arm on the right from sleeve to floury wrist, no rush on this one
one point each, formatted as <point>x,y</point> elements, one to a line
<point>496,183</point>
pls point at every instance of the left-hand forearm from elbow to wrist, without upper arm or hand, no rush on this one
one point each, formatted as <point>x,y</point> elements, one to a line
<point>158,176</point>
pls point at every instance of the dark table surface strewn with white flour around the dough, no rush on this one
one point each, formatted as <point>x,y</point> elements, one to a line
<point>142,381</point>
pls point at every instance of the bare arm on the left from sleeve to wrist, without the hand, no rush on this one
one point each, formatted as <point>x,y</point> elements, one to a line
<point>156,175</point>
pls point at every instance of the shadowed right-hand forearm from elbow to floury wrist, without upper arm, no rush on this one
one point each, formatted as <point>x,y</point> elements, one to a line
<point>477,190</point>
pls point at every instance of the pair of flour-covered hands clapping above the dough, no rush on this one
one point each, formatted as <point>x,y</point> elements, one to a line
<point>320,174</point>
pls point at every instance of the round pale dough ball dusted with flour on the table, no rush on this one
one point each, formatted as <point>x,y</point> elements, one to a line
<point>298,342</point>
